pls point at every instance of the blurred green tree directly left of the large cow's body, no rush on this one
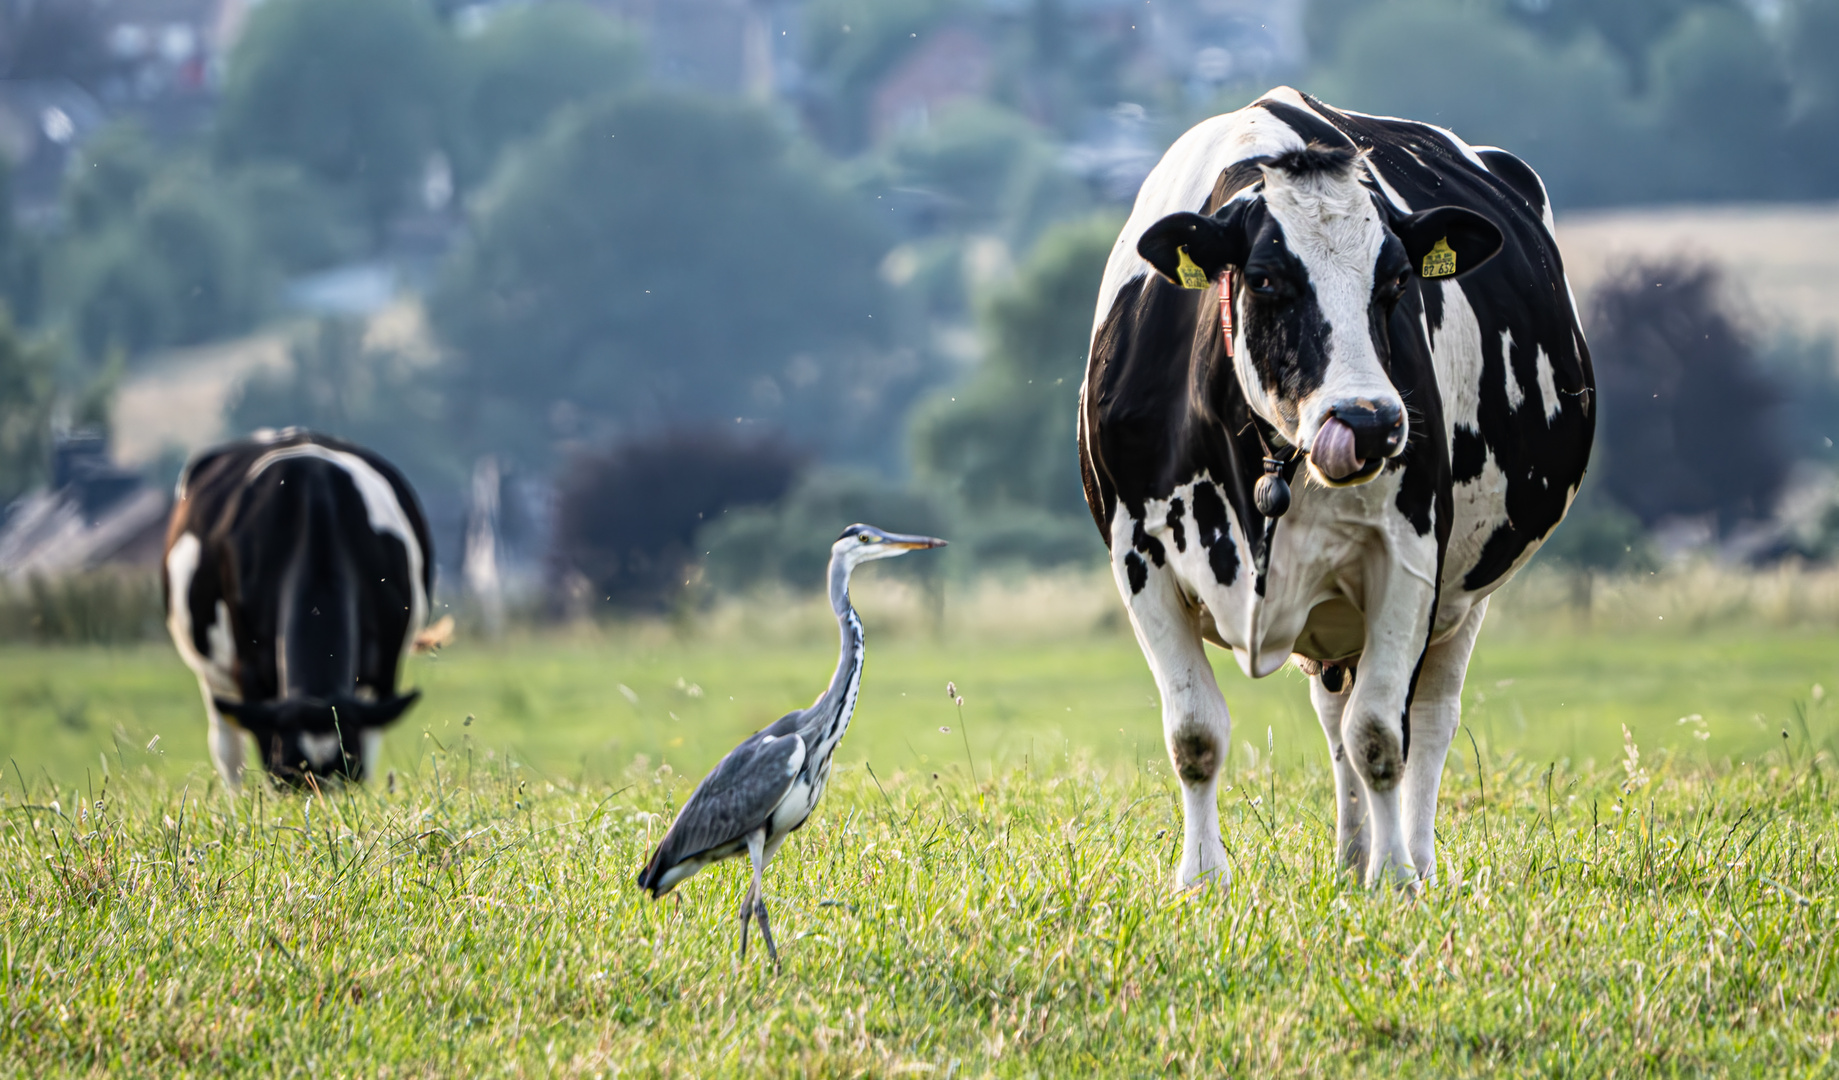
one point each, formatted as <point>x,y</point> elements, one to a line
<point>1007,439</point>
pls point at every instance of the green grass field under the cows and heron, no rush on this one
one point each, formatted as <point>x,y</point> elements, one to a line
<point>999,910</point>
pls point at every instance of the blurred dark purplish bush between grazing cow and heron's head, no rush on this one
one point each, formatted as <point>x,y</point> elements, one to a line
<point>626,522</point>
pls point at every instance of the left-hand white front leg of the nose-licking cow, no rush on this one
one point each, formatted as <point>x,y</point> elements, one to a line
<point>1194,717</point>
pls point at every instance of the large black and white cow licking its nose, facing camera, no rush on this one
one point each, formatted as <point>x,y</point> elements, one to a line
<point>1406,352</point>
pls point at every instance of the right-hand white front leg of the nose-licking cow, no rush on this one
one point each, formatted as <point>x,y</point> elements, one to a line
<point>1373,730</point>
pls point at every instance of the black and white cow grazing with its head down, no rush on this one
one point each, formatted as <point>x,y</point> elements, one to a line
<point>297,575</point>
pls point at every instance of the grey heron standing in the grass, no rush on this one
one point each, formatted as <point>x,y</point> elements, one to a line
<point>770,785</point>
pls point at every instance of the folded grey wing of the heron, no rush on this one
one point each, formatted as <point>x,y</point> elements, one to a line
<point>737,798</point>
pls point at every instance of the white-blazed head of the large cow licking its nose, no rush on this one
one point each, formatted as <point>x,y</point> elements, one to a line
<point>1319,264</point>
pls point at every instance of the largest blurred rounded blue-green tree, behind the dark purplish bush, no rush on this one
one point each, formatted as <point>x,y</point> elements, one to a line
<point>665,260</point>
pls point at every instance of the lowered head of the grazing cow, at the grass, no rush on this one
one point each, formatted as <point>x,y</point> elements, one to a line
<point>308,737</point>
